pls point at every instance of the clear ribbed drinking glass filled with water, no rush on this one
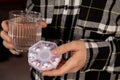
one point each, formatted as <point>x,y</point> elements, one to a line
<point>24,29</point>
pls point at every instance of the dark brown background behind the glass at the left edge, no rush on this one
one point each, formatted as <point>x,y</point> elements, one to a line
<point>12,67</point>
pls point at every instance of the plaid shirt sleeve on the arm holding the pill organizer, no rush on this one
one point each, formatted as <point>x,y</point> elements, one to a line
<point>103,55</point>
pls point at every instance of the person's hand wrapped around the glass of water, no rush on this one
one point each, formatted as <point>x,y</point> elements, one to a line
<point>7,41</point>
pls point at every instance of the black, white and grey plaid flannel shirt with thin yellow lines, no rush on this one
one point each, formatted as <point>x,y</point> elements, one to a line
<point>97,22</point>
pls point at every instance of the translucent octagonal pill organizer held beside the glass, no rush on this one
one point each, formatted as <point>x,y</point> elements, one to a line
<point>41,58</point>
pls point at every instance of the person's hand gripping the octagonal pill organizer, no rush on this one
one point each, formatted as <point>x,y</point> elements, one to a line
<point>74,63</point>
